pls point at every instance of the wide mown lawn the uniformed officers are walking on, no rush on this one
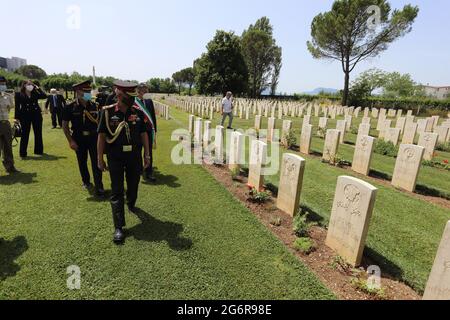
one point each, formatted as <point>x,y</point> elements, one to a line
<point>192,239</point>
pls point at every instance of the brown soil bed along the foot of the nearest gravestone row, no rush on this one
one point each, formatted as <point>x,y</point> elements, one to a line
<point>322,260</point>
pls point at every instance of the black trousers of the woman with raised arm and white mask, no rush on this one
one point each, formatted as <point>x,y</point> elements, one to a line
<point>35,120</point>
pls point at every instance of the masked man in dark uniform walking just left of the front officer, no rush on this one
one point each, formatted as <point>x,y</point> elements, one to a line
<point>83,114</point>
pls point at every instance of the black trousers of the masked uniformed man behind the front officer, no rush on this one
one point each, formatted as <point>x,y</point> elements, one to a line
<point>87,145</point>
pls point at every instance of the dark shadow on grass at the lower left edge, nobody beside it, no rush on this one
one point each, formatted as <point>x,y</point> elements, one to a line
<point>9,252</point>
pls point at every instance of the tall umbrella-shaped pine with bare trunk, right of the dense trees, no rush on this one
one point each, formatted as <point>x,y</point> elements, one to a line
<point>355,30</point>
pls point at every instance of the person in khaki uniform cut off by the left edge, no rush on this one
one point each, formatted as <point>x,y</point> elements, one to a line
<point>6,104</point>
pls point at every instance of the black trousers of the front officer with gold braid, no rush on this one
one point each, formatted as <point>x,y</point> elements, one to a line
<point>124,166</point>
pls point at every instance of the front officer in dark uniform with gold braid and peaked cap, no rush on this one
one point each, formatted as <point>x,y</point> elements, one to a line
<point>122,134</point>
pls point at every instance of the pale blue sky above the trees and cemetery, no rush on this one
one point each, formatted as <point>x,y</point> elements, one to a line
<point>140,39</point>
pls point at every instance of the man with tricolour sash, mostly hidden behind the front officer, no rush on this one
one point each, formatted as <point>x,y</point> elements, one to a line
<point>147,106</point>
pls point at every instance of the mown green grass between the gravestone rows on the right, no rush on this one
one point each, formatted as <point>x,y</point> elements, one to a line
<point>405,231</point>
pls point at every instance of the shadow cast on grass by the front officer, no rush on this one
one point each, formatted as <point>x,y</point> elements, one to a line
<point>154,230</point>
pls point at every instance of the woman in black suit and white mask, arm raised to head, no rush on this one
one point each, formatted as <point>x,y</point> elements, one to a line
<point>29,114</point>
